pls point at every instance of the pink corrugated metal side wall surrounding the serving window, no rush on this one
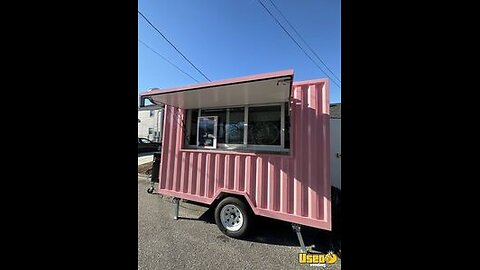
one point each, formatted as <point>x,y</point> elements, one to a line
<point>293,187</point>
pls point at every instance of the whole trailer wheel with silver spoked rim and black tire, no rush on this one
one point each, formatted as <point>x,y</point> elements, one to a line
<point>233,217</point>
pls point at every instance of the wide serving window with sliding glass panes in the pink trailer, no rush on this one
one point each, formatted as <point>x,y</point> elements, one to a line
<point>245,128</point>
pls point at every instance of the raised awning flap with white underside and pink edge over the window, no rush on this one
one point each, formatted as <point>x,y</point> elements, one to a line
<point>236,92</point>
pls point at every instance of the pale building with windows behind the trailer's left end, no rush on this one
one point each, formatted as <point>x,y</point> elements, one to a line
<point>150,123</point>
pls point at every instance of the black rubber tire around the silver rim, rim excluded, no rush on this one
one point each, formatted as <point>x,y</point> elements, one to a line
<point>245,211</point>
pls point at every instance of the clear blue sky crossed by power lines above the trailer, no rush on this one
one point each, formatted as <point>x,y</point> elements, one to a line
<point>233,38</point>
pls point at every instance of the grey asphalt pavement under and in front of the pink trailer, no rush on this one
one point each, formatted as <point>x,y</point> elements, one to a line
<point>195,242</point>
